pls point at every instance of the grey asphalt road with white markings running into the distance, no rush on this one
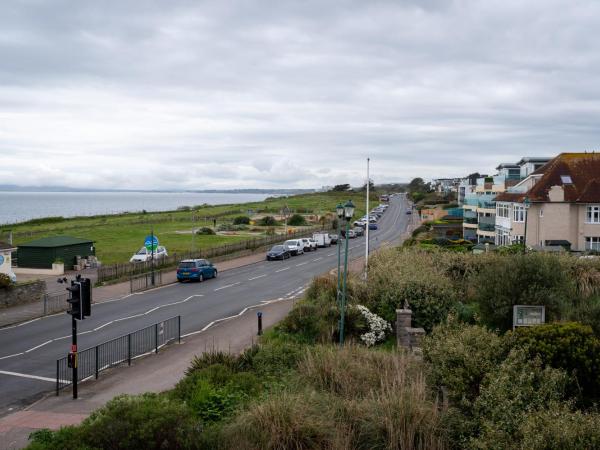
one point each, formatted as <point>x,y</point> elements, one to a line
<point>28,353</point>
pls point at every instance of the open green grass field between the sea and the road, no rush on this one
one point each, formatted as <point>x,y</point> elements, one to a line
<point>117,237</point>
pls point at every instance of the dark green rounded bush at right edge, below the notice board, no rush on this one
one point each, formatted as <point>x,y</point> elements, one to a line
<point>572,347</point>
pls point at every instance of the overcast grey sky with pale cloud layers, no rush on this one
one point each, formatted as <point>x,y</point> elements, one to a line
<point>291,94</point>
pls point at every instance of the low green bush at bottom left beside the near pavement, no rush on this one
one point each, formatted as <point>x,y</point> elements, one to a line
<point>148,421</point>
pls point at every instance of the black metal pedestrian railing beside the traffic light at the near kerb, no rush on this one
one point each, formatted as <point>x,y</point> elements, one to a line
<point>92,361</point>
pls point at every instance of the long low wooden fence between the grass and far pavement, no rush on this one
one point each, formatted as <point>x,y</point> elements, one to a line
<point>117,271</point>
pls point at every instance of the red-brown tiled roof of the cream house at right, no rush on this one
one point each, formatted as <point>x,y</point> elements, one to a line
<point>582,168</point>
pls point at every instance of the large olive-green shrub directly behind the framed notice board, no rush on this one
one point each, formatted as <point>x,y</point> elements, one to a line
<point>531,279</point>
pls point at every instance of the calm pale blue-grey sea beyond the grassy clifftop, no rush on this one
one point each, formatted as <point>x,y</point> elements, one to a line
<point>21,206</point>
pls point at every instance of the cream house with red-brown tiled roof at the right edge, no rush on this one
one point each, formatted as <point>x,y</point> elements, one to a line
<point>558,204</point>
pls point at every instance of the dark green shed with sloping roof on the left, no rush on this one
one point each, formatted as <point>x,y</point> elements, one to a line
<point>41,253</point>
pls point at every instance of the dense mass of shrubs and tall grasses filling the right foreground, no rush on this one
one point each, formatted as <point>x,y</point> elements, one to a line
<point>474,384</point>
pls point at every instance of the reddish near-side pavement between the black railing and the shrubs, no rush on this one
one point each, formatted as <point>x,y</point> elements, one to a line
<point>153,373</point>
